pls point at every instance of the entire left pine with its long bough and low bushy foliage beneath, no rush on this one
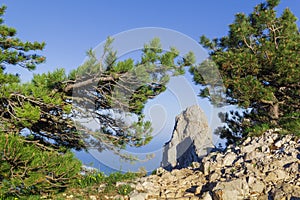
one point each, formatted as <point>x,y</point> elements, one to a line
<point>37,129</point>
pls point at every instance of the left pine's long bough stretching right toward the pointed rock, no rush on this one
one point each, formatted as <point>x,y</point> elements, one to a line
<point>123,87</point>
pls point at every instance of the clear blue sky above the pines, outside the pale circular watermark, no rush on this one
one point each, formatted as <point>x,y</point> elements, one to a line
<point>71,27</point>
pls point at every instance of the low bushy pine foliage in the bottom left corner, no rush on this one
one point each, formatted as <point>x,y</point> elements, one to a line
<point>26,169</point>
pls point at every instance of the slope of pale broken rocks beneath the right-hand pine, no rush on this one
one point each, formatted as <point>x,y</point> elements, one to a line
<point>265,167</point>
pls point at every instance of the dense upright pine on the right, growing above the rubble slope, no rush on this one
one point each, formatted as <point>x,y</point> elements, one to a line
<point>260,65</point>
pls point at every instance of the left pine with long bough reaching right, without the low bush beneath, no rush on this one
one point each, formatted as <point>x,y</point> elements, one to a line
<point>45,106</point>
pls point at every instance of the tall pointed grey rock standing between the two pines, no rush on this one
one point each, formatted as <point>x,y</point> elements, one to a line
<point>191,139</point>
